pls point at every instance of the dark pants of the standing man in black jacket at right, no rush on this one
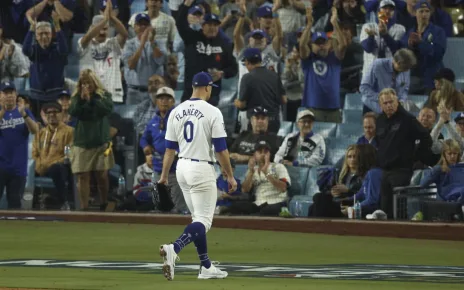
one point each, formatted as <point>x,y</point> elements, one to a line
<point>391,179</point>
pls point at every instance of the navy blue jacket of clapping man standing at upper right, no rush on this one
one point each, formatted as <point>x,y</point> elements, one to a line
<point>429,52</point>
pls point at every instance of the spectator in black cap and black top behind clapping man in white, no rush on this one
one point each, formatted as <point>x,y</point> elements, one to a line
<point>244,146</point>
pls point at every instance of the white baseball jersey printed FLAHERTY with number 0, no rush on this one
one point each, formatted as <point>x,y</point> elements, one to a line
<point>193,124</point>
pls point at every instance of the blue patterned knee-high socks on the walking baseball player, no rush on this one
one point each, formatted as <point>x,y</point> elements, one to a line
<point>196,233</point>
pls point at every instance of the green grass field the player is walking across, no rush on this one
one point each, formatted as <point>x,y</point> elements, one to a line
<point>125,242</point>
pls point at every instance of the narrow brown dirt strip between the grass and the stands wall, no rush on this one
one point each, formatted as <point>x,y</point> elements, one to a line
<point>435,231</point>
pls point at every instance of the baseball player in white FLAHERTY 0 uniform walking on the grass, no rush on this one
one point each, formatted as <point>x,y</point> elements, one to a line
<point>193,128</point>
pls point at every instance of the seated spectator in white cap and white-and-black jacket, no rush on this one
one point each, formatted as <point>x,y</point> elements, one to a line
<point>303,148</point>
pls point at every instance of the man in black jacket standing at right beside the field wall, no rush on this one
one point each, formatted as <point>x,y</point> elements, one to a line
<point>397,133</point>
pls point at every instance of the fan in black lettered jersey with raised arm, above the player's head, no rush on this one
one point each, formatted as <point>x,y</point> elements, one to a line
<point>206,51</point>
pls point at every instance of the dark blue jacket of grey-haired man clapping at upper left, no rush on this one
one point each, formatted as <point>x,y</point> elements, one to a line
<point>47,69</point>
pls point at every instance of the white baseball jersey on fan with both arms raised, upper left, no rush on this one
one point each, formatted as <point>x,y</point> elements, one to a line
<point>105,60</point>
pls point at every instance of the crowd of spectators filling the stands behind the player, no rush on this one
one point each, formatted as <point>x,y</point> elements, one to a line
<point>80,104</point>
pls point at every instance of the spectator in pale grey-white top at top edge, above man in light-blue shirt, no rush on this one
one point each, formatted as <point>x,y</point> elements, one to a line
<point>163,25</point>
